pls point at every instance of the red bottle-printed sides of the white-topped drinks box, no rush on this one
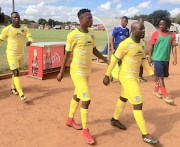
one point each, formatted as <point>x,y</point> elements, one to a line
<point>42,59</point>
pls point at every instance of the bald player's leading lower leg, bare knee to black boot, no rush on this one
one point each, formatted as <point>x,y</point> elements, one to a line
<point>138,114</point>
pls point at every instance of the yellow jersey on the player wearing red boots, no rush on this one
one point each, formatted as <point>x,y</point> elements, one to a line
<point>81,44</point>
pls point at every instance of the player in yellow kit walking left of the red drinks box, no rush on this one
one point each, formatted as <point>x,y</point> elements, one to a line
<point>15,35</point>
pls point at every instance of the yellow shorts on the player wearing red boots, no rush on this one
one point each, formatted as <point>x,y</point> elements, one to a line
<point>81,87</point>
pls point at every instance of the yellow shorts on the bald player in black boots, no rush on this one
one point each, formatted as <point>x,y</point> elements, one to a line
<point>130,90</point>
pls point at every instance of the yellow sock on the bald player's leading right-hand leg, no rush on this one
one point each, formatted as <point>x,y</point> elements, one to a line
<point>140,121</point>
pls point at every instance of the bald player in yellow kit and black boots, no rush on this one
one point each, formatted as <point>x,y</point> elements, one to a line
<point>132,55</point>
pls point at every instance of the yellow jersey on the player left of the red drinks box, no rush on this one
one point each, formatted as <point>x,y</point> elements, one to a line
<point>15,38</point>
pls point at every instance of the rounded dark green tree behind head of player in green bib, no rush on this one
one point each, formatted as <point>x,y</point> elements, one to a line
<point>156,15</point>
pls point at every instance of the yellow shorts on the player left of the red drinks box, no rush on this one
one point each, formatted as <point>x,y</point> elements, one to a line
<point>15,61</point>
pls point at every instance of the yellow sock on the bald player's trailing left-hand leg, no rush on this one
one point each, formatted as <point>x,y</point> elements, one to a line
<point>119,109</point>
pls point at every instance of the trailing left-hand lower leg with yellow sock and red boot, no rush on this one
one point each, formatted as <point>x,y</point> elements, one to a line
<point>73,107</point>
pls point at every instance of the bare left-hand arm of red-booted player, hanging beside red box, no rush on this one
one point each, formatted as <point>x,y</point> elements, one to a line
<point>61,72</point>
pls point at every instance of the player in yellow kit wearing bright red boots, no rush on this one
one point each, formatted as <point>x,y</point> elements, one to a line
<point>82,42</point>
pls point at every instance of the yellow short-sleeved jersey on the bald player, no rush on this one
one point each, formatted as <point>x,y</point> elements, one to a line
<point>131,53</point>
